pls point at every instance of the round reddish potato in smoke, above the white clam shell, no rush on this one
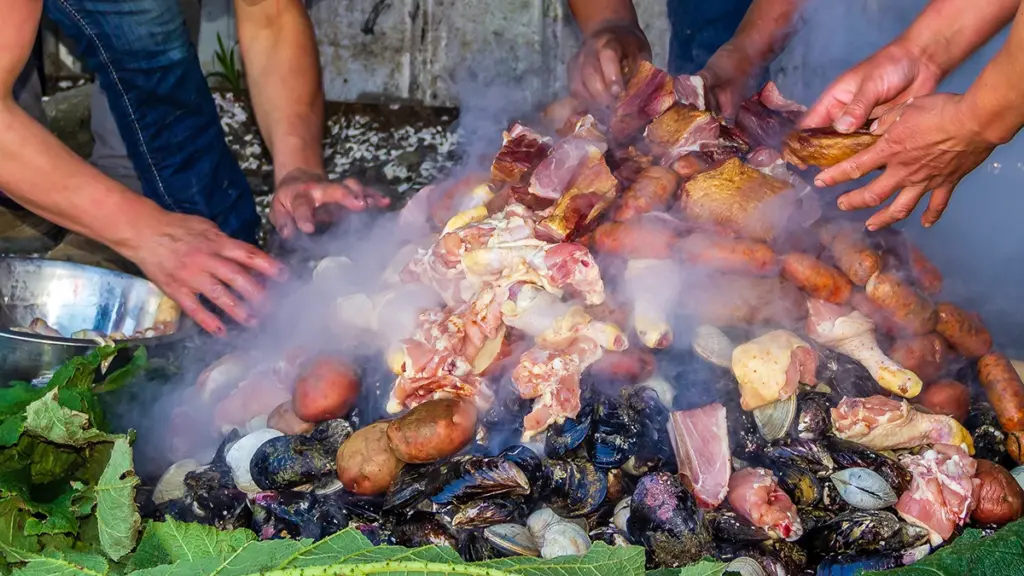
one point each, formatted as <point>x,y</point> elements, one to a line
<point>327,389</point>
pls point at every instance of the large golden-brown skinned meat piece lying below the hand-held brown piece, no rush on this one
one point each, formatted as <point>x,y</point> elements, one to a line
<point>740,198</point>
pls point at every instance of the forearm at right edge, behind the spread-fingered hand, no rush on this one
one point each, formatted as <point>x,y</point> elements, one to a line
<point>995,104</point>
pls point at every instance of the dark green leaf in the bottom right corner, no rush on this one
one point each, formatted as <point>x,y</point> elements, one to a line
<point>999,555</point>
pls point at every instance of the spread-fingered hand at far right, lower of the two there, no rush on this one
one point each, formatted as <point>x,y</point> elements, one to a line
<point>927,145</point>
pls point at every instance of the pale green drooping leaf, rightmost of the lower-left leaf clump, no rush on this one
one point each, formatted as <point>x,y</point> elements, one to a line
<point>117,514</point>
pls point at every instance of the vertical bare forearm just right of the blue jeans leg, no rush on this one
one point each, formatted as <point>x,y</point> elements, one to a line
<point>279,49</point>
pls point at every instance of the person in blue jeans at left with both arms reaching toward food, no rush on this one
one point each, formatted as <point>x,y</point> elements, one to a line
<point>192,232</point>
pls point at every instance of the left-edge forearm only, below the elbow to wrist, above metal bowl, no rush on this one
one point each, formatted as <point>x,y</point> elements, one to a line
<point>47,178</point>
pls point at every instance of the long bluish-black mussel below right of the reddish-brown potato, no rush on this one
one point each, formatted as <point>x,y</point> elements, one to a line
<point>475,477</point>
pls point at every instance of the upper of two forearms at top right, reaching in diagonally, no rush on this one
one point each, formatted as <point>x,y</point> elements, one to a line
<point>950,31</point>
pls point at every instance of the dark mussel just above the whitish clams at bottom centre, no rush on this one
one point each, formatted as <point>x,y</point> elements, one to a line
<point>574,488</point>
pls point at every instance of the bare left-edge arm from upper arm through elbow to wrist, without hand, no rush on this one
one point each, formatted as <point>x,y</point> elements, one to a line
<point>41,174</point>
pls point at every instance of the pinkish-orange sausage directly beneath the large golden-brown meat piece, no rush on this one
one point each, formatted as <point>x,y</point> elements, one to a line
<point>730,255</point>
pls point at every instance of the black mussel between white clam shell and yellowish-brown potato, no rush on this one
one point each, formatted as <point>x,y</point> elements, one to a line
<point>290,462</point>
